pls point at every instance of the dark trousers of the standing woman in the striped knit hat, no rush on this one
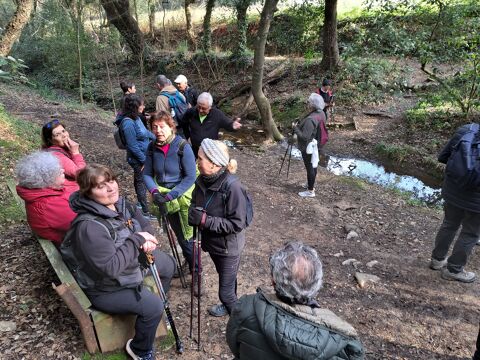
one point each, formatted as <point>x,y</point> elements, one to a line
<point>227,269</point>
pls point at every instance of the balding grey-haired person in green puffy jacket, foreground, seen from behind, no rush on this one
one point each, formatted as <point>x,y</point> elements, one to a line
<point>290,324</point>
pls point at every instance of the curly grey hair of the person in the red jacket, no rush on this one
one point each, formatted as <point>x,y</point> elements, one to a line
<point>38,170</point>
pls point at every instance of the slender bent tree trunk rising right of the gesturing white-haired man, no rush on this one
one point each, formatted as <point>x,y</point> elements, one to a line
<point>271,131</point>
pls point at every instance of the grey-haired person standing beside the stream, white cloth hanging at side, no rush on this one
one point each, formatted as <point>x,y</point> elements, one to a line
<point>306,130</point>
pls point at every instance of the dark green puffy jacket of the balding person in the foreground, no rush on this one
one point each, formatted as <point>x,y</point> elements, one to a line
<point>263,327</point>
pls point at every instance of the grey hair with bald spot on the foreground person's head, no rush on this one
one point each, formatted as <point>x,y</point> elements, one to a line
<point>297,272</point>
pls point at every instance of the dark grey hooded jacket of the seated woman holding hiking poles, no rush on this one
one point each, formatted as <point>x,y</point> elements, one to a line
<point>109,263</point>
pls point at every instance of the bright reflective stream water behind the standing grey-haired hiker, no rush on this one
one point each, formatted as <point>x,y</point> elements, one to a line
<point>377,174</point>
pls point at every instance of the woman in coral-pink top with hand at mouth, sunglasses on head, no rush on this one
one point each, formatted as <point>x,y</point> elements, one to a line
<point>56,139</point>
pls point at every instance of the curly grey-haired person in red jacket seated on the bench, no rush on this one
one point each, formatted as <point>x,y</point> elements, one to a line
<point>41,185</point>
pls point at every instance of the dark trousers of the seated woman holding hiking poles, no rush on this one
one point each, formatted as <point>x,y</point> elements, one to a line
<point>141,302</point>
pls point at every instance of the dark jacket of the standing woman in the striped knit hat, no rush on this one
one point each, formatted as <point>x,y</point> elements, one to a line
<point>223,232</point>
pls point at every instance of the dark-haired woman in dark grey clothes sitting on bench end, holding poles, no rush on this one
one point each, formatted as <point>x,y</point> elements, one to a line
<point>103,248</point>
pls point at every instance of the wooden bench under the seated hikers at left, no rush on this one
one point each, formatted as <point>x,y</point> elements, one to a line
<point>100,331</point>
